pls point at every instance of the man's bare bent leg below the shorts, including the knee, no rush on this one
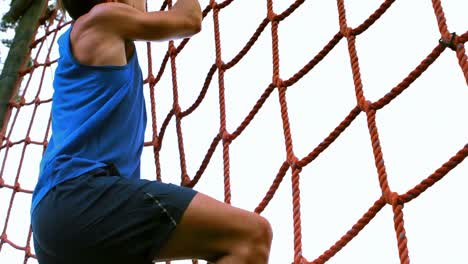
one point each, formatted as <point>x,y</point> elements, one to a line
<point>220,233</point>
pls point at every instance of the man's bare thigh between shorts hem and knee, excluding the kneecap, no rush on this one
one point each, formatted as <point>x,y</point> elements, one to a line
<point>209,229</point>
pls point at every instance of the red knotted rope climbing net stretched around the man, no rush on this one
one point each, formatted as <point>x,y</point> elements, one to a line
<point>35,75</point>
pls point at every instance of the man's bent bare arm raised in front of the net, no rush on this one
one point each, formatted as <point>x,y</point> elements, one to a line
<point>183,20</point>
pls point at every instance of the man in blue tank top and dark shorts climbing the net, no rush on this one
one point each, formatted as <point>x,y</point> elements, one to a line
<point>90,173</point>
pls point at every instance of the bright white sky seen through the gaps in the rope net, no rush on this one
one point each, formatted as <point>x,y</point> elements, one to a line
<point>419,131</point>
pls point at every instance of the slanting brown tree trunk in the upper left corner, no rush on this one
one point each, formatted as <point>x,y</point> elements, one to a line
<point>19,54</point>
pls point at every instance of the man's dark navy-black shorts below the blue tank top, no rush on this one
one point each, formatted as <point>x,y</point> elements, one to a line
<point>103,218</point>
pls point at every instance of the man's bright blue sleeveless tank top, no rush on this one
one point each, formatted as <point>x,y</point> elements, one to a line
<point>98,118</point>
